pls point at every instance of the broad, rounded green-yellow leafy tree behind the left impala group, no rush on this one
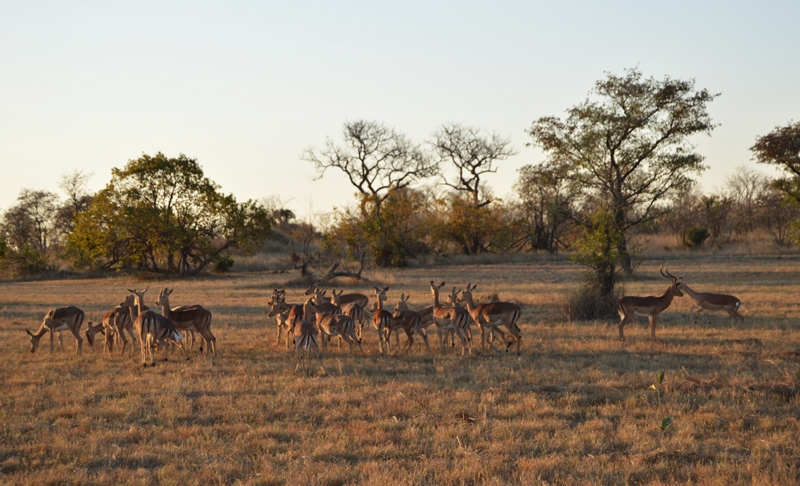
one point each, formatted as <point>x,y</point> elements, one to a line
<point>161,214</point>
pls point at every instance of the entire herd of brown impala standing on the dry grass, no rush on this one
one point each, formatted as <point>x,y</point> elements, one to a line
<point>314,322</point>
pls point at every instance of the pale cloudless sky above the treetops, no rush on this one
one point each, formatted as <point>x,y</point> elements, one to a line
<point>244,87</point>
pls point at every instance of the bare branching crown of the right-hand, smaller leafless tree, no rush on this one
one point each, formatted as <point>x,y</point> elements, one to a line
<point>471,152</point>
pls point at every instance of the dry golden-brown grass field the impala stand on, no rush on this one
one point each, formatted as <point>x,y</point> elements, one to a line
<point>575,408</point>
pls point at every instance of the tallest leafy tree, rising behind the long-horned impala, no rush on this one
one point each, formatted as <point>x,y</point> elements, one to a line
<point>627,149</point>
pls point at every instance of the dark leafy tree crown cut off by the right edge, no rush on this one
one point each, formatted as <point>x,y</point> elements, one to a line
<point>781,148</point>
